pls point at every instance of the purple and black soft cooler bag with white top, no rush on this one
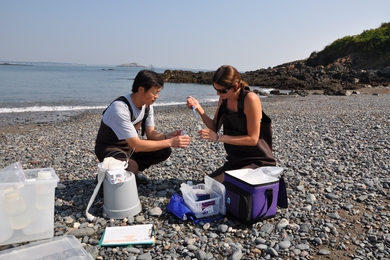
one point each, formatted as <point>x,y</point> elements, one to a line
<point>252,198</point>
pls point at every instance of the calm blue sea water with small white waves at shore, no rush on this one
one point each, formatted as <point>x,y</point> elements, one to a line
<point>78,87</point>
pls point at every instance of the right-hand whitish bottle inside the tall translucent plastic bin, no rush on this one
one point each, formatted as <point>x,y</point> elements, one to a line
<point>44,191</point>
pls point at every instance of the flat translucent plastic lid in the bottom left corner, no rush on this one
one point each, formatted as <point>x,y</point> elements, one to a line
<point>65,247</point>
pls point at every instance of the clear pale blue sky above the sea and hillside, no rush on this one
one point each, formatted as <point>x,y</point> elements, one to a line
<point>203,35</point>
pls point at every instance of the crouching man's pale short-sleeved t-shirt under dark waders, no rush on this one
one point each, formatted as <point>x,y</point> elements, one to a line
<point>118,118</point>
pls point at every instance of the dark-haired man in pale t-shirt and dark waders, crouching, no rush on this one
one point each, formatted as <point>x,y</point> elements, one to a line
<point>118,133</point>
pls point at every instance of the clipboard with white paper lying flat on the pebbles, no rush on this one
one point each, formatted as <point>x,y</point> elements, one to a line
<point>128,235</point>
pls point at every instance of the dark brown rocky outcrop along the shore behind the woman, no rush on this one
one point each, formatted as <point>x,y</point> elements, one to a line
<point>333,79</point>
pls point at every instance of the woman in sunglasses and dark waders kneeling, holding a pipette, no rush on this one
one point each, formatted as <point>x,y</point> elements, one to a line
<point>246,135</point>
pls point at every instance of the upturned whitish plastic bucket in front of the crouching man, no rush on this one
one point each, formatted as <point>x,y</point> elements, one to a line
<point>121,199</point>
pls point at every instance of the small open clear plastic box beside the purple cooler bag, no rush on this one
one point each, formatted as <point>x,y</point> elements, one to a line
<point>208,207</point>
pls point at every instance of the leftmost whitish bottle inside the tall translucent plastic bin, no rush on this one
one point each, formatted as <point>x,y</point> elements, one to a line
<point>16,209</point>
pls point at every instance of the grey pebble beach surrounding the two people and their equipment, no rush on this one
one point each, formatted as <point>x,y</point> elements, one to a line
<point>335,151</point>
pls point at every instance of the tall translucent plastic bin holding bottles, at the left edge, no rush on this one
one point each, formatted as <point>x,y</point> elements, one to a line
<point>29,205</point>
